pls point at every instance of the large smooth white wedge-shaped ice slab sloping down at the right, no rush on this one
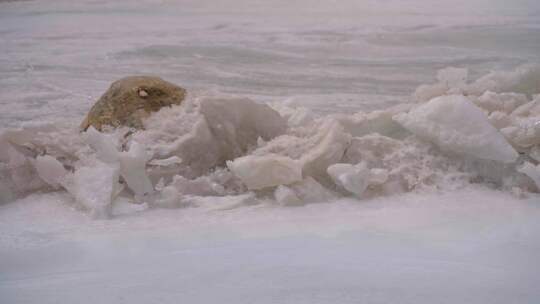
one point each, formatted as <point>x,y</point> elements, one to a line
<point>456,124</point>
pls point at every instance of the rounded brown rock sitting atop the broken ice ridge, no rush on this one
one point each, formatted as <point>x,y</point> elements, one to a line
<point>129,100</point>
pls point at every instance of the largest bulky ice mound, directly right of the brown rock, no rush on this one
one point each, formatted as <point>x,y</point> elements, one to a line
<point>206,132</point>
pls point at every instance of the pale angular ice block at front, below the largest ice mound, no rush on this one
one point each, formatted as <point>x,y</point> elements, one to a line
<point>258,172</point>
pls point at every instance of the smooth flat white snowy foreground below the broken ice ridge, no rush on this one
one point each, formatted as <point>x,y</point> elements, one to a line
<point>472,246</point>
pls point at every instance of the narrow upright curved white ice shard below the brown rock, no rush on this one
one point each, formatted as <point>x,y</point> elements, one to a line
<point>133,169</point>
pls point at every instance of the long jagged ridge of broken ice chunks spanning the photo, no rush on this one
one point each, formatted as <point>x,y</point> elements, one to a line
<point>220,153</point>
